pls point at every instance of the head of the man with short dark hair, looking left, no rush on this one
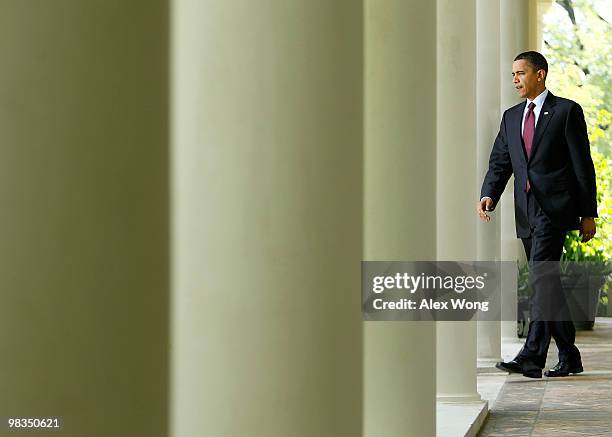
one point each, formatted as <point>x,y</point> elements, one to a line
<point>529,71</point>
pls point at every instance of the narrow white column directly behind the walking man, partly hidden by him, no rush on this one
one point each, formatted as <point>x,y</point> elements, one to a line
<point>514,39</point>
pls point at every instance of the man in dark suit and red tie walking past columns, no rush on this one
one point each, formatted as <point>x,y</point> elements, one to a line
<point>543,142</point>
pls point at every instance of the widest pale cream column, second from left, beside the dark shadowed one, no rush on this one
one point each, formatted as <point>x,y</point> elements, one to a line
<point>266,332</point>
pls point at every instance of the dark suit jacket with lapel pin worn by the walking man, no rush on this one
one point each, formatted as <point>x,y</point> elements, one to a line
<point>560,168</point>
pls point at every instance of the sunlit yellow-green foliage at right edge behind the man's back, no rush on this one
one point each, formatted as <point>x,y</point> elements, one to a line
<point>578,46</point>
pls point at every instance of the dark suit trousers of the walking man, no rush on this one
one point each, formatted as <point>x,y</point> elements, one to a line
<point>546,244</point>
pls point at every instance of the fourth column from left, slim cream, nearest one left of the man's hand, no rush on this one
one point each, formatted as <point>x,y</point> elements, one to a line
<point>456,157</point>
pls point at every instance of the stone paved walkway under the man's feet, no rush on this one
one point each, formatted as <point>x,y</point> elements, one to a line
<point>578,405</point>
